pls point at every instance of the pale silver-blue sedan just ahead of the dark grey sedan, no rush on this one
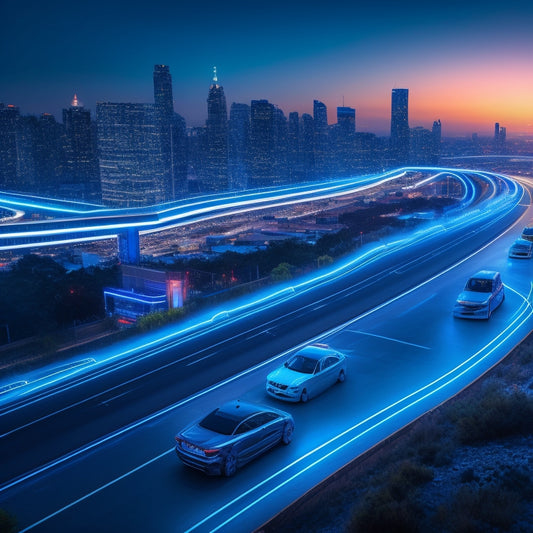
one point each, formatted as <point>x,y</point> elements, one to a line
<point>307,373</point>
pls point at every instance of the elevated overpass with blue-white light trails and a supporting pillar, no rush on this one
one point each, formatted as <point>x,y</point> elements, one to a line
<point>63,222</point>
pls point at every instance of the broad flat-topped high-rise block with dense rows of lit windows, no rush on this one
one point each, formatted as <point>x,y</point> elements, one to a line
<point>132,168</point>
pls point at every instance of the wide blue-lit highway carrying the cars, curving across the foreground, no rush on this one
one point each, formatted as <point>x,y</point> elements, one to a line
<point>389,311</point>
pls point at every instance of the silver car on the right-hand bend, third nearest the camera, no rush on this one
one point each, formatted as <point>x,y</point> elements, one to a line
<point>482,294</point>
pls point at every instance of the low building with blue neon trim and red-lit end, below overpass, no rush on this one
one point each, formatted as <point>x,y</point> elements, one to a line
<point>144,291</point>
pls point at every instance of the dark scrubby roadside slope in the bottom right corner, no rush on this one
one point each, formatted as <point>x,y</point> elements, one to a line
<point>464,468</point>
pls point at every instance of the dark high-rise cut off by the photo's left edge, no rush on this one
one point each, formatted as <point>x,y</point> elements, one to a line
<point>9,123</point>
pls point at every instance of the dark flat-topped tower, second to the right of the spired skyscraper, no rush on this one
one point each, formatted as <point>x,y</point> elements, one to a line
<point>262,144</point>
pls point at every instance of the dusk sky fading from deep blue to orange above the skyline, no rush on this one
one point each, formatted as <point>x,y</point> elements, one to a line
<point>468,63</point>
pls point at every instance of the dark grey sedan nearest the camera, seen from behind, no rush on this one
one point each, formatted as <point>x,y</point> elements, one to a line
<point>230,436</point>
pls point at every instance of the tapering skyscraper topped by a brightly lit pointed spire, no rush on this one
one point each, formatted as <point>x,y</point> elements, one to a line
<point>216,175</point>
